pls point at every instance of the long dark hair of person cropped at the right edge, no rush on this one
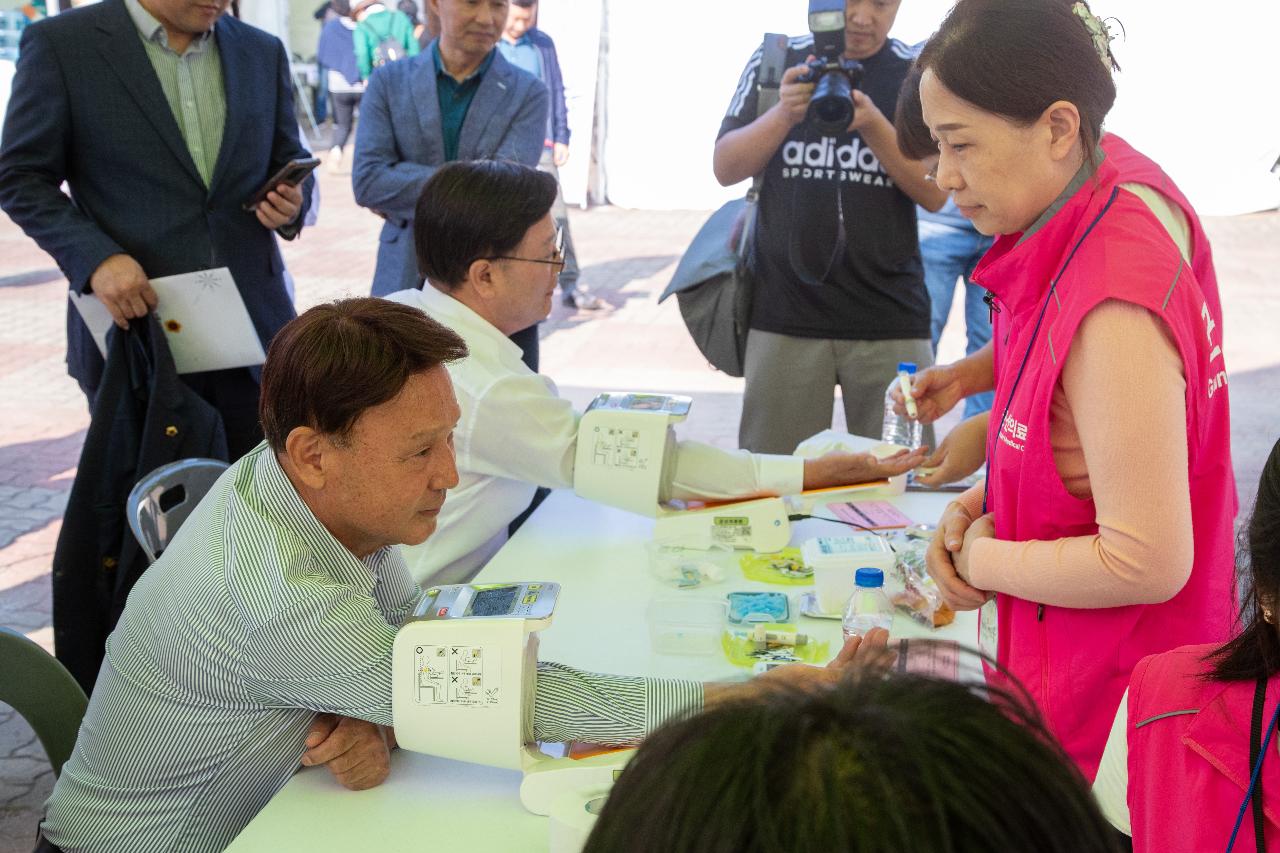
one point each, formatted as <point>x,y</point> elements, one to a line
<point>1255,653</point>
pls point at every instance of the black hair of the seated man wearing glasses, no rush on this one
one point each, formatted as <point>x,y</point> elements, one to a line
<point>477,209</point>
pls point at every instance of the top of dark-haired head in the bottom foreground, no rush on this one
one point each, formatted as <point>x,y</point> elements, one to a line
<point>898,763</point>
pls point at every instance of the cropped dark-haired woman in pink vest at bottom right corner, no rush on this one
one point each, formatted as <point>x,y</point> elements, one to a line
<point>1177,769</point>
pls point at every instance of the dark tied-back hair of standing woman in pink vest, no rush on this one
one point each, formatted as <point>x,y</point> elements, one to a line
<point>1016,58</point>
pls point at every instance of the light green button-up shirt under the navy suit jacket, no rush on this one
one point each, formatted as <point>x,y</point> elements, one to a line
<point>193,84</point>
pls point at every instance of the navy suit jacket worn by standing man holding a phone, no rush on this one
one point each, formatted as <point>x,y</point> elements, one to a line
<point>88,110</point>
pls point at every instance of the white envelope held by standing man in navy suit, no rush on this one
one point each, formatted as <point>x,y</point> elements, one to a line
<point>204,320</point>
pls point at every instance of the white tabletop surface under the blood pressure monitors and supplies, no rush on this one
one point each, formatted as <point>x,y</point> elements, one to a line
<point>598,555</point>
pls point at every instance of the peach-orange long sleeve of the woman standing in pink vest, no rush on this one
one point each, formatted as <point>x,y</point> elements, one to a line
<point>1118,432</point>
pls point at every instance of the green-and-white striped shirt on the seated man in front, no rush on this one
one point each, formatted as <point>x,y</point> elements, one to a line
<point>254,621</point>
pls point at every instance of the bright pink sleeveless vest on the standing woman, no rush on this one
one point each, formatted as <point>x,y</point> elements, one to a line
<point>1103,244</point>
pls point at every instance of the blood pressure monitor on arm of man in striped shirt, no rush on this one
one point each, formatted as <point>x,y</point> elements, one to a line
<point>463,687</point>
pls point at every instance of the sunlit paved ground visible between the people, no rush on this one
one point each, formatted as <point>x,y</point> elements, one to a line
<point>628,257</point>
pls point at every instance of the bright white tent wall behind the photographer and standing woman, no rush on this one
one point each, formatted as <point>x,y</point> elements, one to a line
<point>1197,92</point>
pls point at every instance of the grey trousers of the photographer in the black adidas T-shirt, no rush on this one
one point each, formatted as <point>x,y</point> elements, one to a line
<point>792,386</point>
